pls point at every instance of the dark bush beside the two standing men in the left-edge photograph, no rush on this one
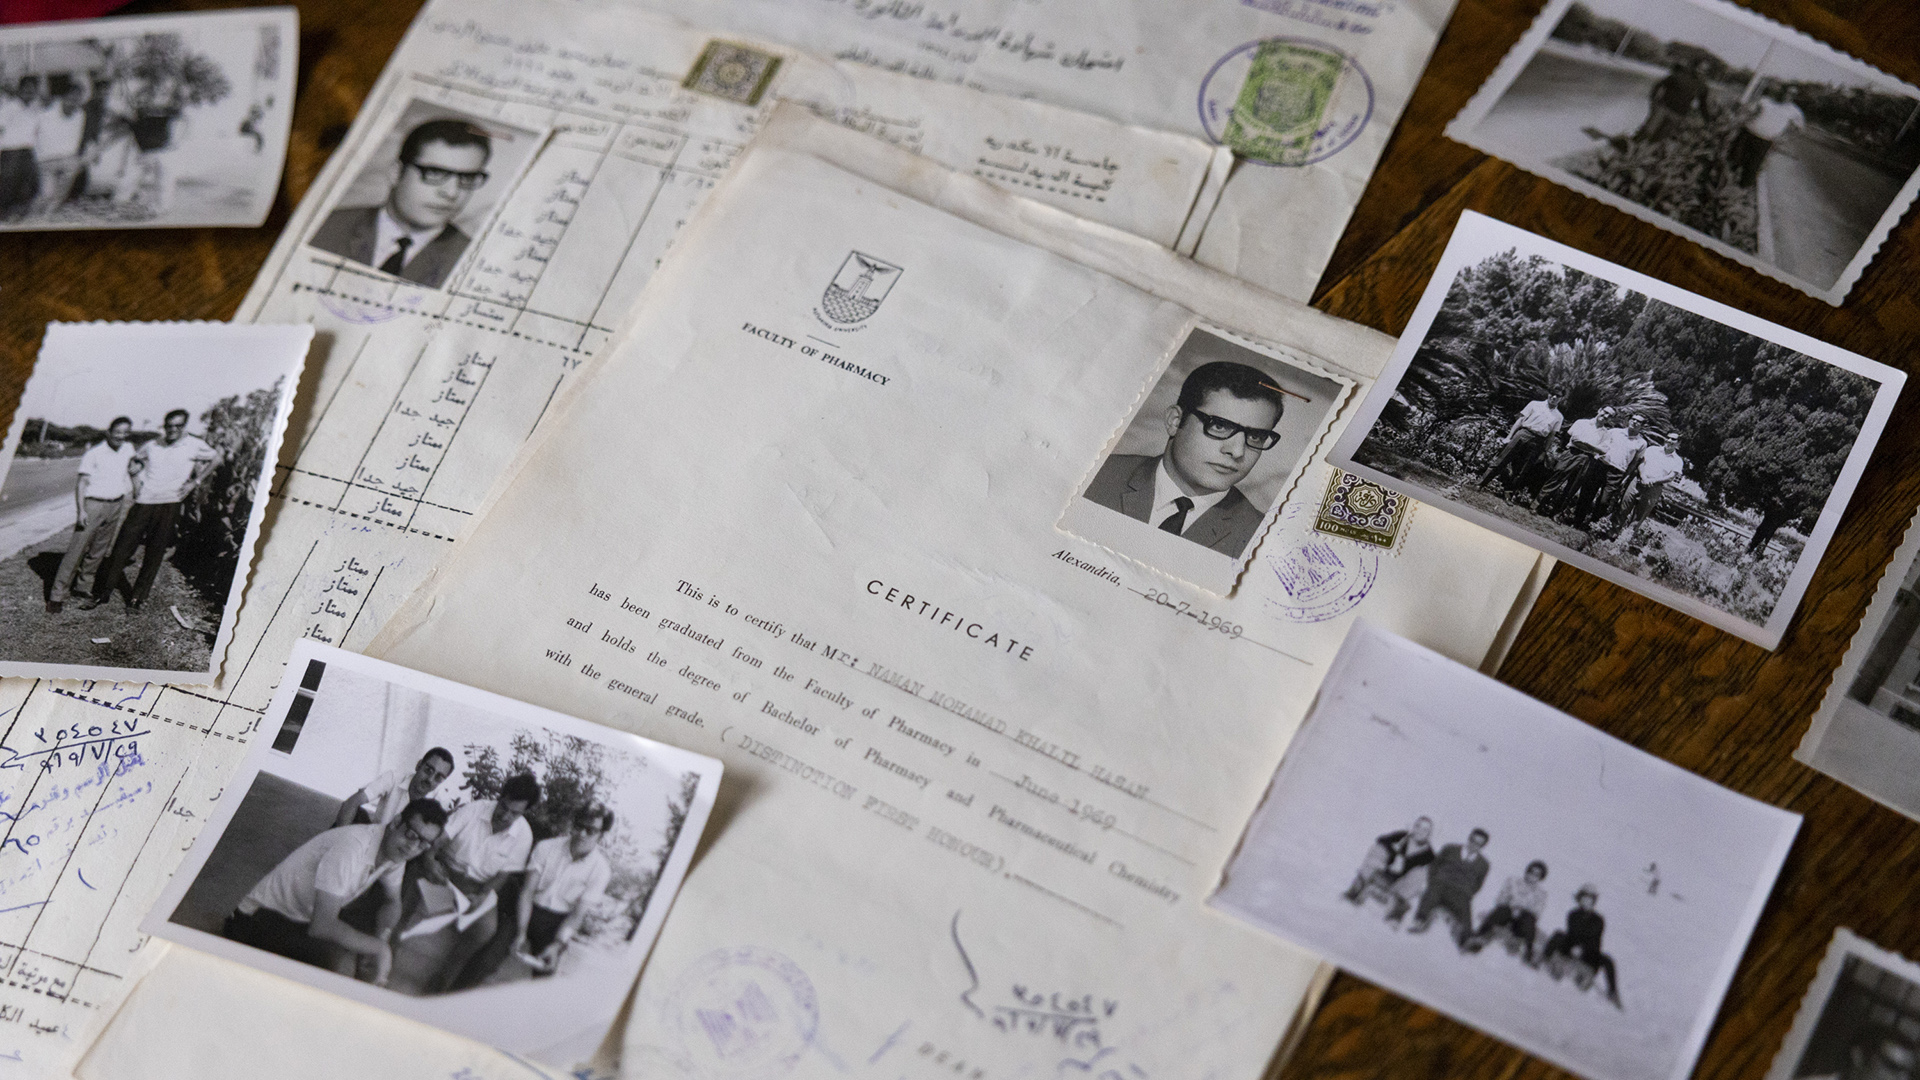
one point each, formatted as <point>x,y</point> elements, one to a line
<point>212,531</point>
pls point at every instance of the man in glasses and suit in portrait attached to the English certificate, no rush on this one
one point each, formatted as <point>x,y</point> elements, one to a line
<point>1216,431</point>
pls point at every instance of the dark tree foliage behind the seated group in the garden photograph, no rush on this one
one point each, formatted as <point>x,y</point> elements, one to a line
<point>1764,430</point>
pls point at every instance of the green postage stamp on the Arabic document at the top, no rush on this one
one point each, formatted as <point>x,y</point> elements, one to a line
<point>1284,101</point>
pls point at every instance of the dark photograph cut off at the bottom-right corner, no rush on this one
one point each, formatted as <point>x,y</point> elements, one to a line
<point>1860,1019</point>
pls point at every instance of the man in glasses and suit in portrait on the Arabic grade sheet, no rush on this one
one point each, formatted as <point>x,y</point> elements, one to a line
<point>412,235</point>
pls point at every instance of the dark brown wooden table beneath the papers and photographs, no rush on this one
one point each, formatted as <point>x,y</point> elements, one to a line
<point>1652,677</point>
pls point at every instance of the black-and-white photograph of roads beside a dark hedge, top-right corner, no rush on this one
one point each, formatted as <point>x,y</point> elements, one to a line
<point>1716,124</point>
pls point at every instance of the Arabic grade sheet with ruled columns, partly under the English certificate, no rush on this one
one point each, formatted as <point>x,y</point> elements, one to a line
<point>571,149</point>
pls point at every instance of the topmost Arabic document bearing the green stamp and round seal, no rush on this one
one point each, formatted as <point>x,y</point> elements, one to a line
<point>1303,91</point>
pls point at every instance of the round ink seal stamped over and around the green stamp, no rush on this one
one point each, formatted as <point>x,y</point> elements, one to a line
<point>1285,101</point>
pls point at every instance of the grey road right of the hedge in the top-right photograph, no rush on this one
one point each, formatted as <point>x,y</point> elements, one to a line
<point>1823,205</point>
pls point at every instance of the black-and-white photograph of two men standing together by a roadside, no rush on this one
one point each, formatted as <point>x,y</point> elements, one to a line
<point>132,493</point>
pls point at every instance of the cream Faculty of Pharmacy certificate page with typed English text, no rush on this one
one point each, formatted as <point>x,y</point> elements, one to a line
<point>982,773</point>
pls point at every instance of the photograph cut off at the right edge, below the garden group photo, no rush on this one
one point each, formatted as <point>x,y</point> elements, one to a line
<point>1867,731</point>
